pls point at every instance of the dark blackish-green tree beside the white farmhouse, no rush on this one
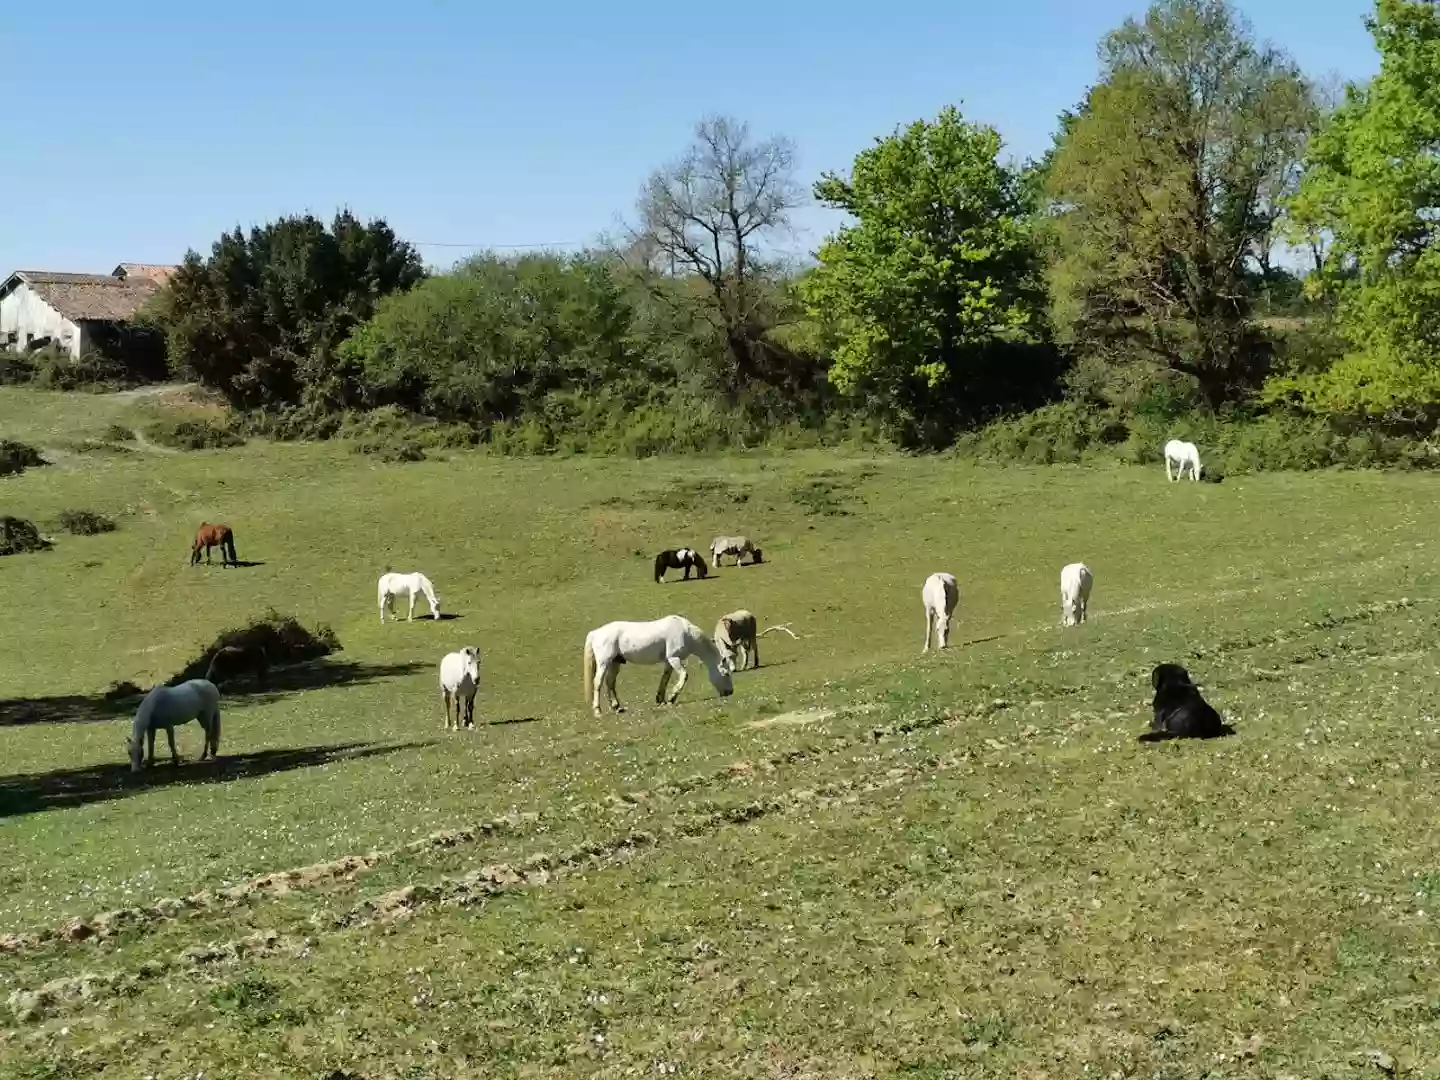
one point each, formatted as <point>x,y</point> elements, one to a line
<point>260,320</point>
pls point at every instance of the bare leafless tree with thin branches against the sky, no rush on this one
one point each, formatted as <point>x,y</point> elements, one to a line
<point>711,215</point>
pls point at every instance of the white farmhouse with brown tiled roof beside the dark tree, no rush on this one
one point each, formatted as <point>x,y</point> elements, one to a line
<point>74,312</point>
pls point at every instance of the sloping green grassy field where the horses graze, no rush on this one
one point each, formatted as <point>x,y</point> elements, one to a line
<point>866,863</point>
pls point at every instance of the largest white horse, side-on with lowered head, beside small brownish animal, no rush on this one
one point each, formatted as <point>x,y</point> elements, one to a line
<point>662,642</point>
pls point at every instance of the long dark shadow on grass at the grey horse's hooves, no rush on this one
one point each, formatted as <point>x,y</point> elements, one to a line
<point>66,788</point>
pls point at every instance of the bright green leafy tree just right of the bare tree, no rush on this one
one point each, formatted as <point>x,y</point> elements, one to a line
<point>934,282</point>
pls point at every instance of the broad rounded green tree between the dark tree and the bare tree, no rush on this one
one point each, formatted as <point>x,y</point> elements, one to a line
<point>489,342</point>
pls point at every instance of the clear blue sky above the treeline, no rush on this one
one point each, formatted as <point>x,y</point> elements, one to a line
<point>136,132</point>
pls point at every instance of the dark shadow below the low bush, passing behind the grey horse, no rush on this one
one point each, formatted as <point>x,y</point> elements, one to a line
<point>81,709</point>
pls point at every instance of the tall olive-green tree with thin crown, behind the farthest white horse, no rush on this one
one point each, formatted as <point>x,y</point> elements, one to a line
<point>1166,186</point>
